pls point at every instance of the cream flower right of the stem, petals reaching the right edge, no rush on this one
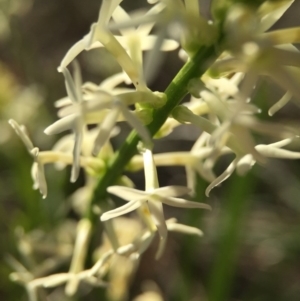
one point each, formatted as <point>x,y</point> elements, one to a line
<point>239,141</point>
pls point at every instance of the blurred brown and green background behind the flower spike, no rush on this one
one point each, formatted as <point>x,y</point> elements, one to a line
<point>251,246</point>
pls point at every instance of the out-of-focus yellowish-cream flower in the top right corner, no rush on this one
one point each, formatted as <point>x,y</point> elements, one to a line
<point>255,53</point>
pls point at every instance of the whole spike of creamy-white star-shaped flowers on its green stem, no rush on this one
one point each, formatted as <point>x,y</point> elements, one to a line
<point>237,49</point>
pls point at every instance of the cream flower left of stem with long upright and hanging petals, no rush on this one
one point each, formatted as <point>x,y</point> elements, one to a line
<point>76,116</point>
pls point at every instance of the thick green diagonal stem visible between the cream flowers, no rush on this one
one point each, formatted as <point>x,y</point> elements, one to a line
<point>177,89</point>
